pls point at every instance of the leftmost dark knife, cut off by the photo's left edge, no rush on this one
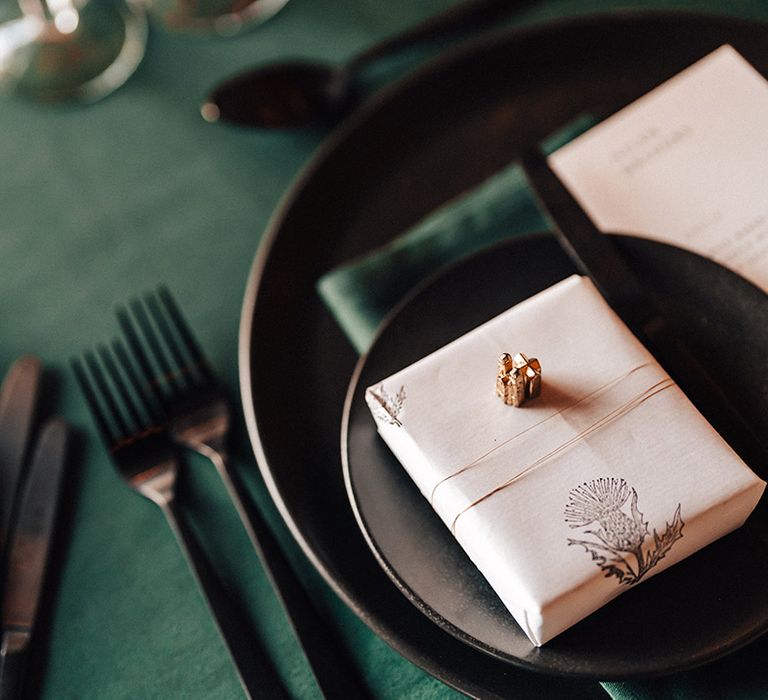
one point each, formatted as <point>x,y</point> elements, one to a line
<point>18,399</point>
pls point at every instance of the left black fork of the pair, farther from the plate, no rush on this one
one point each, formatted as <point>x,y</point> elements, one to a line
<point>140,447</point>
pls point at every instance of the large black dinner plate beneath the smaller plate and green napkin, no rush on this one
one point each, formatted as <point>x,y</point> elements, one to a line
<point>442,130</point>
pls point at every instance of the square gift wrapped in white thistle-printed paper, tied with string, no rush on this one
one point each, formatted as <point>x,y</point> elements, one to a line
<point>602,475</point>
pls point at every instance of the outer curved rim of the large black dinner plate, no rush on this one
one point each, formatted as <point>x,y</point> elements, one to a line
<point>305,176</point>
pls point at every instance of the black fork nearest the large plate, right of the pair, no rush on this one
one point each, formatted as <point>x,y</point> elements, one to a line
<point>199,418</point>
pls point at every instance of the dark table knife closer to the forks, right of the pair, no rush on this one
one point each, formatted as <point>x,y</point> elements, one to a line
<point>28,549</point>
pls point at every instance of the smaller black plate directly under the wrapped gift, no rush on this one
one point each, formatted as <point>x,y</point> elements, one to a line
<point>659,625</point>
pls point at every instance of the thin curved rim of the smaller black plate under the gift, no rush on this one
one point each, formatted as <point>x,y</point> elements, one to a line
<point>392,572</point>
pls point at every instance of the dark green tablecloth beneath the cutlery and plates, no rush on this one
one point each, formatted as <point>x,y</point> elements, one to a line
<point>98,203</point>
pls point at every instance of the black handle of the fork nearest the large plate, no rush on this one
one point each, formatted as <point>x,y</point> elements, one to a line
<point>332,669</point>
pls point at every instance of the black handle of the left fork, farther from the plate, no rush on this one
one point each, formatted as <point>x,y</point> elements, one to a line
<point>257,676</point>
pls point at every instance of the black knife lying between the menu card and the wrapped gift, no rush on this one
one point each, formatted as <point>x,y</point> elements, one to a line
<point>595,255</point>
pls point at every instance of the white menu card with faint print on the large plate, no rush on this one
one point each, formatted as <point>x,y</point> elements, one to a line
<point>685,164</point>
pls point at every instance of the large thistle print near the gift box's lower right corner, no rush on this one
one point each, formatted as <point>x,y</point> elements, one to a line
<point>618,547</point>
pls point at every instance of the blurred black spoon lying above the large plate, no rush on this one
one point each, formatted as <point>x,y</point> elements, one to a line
<point>298,93</point>
